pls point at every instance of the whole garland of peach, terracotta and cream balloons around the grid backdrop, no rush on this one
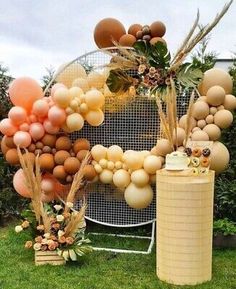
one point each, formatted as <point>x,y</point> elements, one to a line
<point>41,124</point>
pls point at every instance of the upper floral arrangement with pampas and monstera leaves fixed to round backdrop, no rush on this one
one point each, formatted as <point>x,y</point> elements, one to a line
<point>150,70</point>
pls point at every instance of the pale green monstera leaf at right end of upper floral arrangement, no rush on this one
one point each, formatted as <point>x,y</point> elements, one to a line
<point>189,76</point>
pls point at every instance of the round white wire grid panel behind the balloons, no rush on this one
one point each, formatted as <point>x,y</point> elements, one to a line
<point>132,124</point>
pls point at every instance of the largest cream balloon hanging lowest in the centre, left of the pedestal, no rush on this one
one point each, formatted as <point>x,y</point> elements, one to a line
<point>138,197</point>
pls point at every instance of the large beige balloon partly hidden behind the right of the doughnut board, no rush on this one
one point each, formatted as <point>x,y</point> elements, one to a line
<point>219,157</point>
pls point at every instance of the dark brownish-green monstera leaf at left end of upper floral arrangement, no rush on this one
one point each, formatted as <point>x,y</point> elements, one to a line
<point>119,81</point>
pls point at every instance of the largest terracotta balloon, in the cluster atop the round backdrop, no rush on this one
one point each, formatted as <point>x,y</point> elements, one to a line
<point>107,30</point>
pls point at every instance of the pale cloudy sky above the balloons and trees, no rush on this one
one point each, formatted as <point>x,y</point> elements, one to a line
<point>35,35</point>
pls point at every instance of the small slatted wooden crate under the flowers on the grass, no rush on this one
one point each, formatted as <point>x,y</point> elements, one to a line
<point>48,257</point>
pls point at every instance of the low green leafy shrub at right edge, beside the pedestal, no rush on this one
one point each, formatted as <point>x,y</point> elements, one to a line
<point>224,233</point>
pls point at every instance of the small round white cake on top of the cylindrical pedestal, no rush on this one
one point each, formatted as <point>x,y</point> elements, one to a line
<point>177,161</point>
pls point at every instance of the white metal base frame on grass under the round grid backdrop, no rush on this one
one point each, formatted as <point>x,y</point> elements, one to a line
<point>149,250</point>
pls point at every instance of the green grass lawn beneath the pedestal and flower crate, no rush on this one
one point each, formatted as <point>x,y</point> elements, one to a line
<point>98,270</point>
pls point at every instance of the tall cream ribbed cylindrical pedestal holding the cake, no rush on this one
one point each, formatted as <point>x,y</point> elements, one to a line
<point>184,227</point>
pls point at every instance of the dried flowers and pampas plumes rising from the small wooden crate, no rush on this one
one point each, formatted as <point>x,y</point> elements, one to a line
<point>60,227</point>
